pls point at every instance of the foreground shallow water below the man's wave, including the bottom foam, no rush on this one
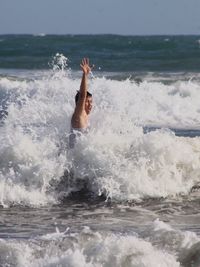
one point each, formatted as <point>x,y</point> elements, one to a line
<point>102,234</point>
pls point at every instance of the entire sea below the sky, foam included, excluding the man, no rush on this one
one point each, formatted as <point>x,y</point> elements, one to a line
<point>128,193</point>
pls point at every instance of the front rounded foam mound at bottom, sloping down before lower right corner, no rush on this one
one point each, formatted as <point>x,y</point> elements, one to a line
<point>86,248</point>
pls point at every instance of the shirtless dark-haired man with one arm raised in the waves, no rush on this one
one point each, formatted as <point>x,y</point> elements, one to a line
<point>83,100</point>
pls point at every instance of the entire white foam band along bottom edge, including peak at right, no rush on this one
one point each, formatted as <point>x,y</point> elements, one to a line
<point>159,245</point>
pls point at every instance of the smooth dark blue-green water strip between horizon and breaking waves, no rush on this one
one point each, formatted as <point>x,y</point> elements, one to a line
<point>108,52</point>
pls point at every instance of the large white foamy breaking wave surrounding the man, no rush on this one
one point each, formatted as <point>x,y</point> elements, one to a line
<point>116,157</point>
